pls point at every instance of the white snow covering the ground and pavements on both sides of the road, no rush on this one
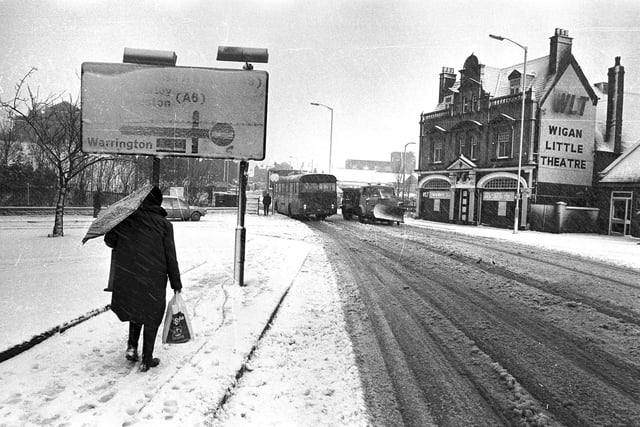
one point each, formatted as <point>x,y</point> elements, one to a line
<point>301,373</point>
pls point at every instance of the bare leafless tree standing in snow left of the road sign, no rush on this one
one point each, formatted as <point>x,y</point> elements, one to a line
<point>54,127</point>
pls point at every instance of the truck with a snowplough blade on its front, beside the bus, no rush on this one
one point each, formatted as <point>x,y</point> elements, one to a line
<point>372,203</point>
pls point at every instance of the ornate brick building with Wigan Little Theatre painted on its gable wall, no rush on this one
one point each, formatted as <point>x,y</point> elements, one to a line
<point>470,153</point>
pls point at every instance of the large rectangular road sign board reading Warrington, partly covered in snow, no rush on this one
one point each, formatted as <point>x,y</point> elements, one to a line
<point>174,111</point>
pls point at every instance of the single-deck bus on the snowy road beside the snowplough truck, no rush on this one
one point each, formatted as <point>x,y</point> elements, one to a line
<point>306,195</point>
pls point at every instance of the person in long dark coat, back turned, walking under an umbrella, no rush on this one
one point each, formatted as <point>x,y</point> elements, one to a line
<point>144,256</point>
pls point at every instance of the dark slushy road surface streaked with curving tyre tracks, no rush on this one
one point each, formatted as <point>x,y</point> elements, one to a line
<point>485,340</point>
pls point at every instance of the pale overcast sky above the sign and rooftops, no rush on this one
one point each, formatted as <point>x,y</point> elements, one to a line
<point>376,62</point>
